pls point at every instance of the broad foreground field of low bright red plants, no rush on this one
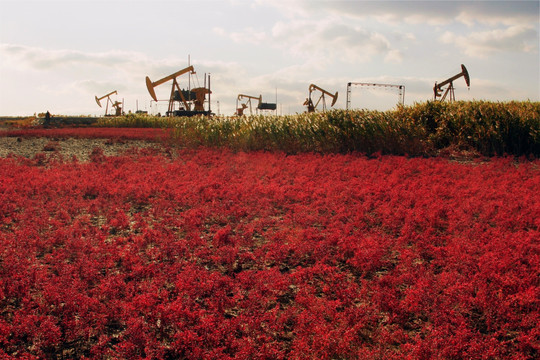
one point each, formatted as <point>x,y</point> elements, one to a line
<point>214,254</point>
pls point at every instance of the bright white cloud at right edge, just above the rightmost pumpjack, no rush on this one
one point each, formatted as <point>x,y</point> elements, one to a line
<point>484,43</point>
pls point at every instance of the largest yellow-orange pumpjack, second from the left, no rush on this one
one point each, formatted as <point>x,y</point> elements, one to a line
<point>191,100</point>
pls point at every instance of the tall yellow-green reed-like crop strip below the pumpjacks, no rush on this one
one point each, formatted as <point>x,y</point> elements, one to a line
<point>423,129</point>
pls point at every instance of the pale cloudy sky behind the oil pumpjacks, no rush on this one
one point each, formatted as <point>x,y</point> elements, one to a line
<point>59,55</point>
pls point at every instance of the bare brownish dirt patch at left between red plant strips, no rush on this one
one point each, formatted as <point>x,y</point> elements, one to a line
<point>69,147</point>
